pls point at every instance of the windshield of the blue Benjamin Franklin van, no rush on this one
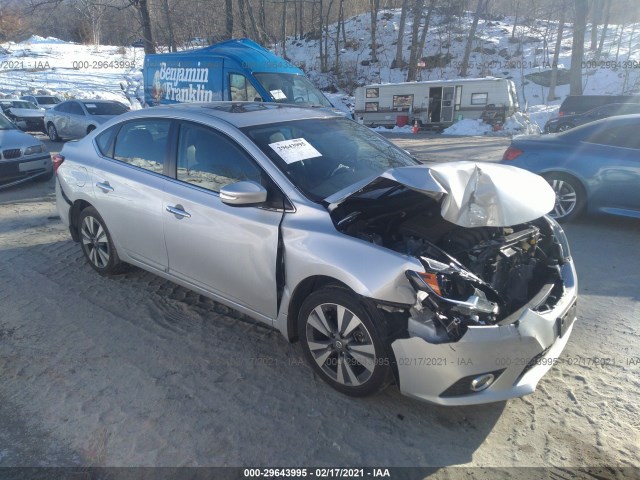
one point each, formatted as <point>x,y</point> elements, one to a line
<point>291,88</point>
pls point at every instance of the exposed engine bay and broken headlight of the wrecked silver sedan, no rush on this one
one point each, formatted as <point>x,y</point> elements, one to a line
<point>473,276</point>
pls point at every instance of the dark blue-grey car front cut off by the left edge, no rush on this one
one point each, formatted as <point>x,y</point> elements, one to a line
<point>22,156</point>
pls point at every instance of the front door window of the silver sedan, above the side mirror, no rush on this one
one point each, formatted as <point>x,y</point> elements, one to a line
<point>211,160</point>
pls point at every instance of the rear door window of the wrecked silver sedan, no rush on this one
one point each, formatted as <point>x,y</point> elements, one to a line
<point>143,143</point>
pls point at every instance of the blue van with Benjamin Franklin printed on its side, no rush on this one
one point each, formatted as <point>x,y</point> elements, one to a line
<point>237,70</point>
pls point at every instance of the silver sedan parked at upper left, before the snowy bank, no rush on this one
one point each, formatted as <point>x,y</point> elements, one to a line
<point>75,118</point>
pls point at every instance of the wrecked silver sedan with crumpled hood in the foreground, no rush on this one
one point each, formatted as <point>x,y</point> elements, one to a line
<point>381,267</point>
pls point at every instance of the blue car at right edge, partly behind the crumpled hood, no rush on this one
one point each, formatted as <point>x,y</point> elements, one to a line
<point>595,167</point>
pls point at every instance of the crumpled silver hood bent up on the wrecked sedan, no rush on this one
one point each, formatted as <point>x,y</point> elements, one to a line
<point>474,194</point>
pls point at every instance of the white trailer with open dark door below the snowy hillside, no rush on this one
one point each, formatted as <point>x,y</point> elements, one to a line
<point>436,104</point>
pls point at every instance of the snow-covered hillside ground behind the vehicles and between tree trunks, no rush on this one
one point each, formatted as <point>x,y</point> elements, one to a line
<point>49,65</point>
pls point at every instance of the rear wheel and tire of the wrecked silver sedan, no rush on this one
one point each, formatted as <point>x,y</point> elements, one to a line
<point>96,243</point>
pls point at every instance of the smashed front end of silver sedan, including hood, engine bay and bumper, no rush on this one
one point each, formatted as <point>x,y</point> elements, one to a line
<point>495,299</point>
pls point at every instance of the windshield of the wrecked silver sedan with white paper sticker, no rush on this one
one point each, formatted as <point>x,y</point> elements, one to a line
<point>324,156</point>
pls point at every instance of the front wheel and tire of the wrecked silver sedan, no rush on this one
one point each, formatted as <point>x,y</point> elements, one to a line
<point>341,339</point>
